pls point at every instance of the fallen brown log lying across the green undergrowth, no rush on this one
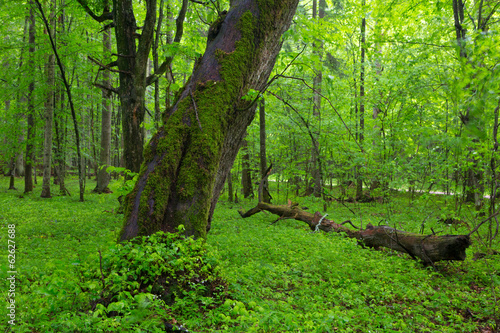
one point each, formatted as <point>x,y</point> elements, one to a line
<point>428,248</point>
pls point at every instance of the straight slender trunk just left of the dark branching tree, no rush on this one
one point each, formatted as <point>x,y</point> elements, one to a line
<point>103,177</point>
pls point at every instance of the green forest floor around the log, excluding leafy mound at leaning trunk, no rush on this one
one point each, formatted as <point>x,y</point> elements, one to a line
<point>281,276</point>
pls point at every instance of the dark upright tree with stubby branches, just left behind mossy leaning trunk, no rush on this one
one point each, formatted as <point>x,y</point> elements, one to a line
<point>132,63</point>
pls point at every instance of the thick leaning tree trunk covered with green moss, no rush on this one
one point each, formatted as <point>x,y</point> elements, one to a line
<point>187,160</point>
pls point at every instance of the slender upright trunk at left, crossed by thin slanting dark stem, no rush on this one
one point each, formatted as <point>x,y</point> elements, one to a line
<point>49,113</point>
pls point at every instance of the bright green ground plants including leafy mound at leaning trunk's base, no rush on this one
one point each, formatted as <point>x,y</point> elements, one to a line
<point>280,277</point>
